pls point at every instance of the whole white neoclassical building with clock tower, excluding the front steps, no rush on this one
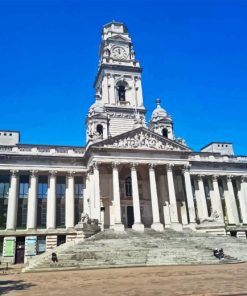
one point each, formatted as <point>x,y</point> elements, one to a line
<point>130,174</point>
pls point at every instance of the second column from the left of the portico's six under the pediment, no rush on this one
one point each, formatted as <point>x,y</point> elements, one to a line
<point>118,226</point>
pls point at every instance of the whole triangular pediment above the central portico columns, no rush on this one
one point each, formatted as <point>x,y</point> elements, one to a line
<point>143,139</point>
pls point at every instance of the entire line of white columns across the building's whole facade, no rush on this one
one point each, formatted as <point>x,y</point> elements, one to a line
<point>93,188</point>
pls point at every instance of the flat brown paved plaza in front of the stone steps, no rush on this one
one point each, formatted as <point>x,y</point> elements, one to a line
<point>225,279</point>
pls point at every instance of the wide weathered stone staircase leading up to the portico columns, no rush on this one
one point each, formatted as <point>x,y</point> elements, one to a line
<point>130,248</point>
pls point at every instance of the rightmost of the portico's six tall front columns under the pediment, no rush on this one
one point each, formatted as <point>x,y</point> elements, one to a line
<point>189,196</point>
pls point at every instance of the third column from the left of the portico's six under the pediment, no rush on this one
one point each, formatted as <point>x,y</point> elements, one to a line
<point>136,201</point>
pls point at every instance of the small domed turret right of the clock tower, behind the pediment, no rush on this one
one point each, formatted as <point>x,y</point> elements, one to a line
<point>161,121</point>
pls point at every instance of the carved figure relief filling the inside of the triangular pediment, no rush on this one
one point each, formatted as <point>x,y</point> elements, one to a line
<point>142,140</point>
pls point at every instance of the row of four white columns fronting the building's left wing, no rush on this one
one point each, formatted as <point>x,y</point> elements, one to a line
<point>32,201</point>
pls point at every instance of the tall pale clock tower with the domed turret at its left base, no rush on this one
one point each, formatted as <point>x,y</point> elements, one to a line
<point>118,86</point>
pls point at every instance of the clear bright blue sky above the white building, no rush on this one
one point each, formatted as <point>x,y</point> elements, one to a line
<point>194,55</point>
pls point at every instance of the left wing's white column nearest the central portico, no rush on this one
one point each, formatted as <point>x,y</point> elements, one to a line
<point>70,201</point>
